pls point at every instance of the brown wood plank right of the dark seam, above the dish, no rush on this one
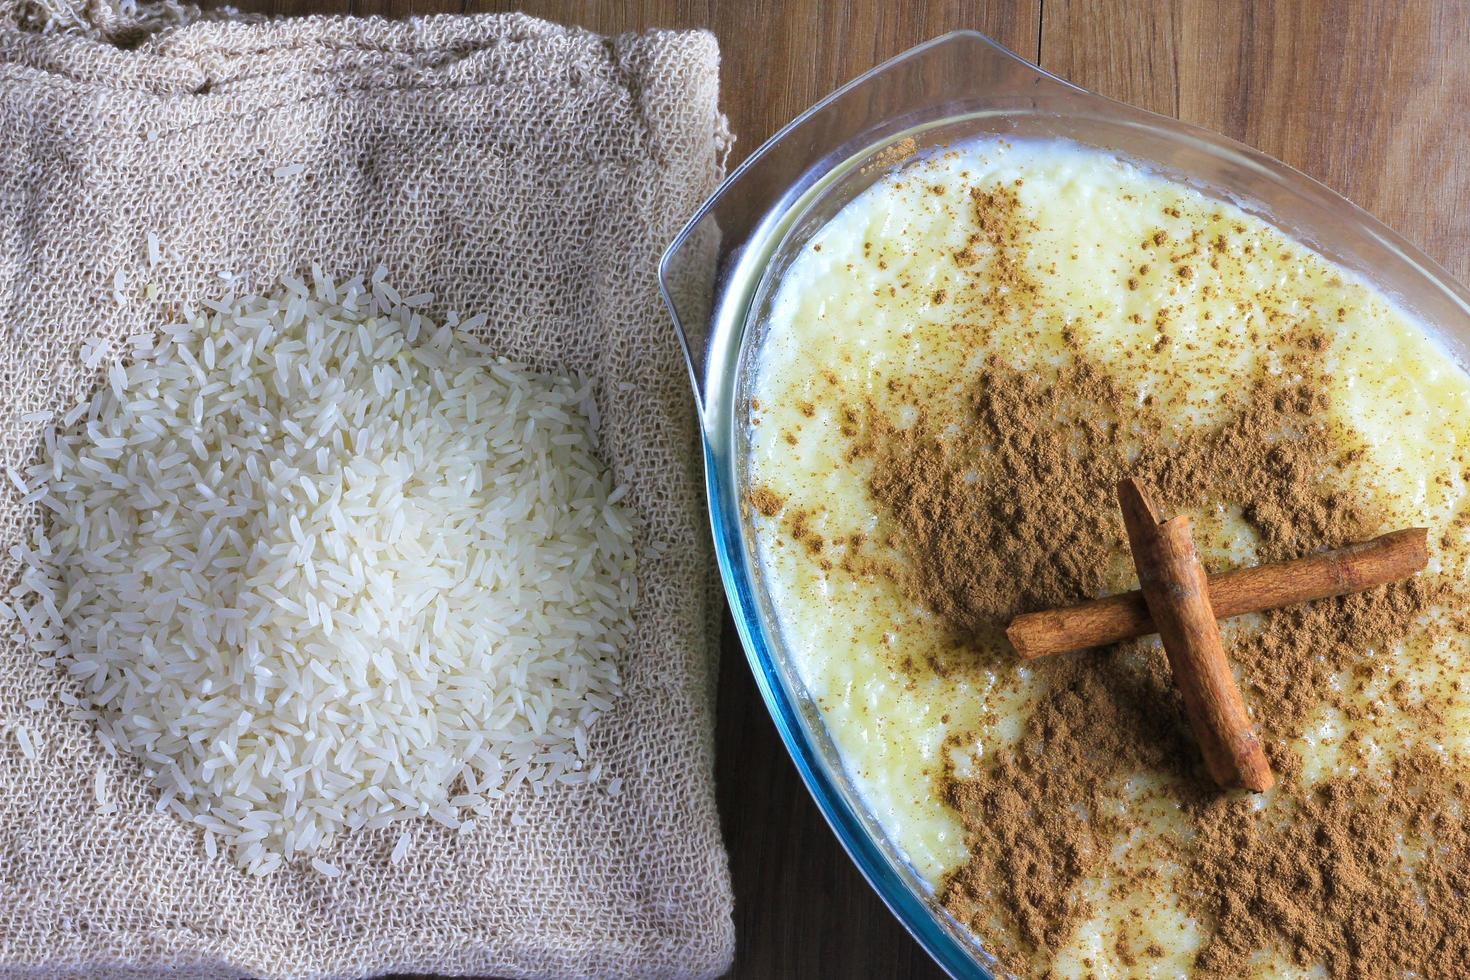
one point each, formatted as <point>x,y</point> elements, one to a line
<point>1368,98</point>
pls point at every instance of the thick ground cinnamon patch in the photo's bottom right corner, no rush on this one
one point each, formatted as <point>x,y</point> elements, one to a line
<point>1330,884</point>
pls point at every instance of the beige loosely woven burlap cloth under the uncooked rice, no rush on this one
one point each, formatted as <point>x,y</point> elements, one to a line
<point>509,167</point>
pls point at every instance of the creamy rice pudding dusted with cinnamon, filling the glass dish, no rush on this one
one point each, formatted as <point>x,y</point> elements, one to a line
<point>953,375</point>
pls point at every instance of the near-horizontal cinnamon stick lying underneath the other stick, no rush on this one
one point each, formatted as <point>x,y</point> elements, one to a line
<point>1352,569</point>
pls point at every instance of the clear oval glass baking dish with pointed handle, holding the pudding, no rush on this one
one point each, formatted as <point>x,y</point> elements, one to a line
<point>721,271</point>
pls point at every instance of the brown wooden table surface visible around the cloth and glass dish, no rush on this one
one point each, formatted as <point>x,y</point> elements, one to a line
<point>1369,96</point>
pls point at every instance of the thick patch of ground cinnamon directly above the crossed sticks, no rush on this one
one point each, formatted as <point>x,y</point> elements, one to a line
<point>1015,512</point>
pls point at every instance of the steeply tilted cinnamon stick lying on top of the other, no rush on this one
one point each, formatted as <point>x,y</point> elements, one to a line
<point>1178,597</point>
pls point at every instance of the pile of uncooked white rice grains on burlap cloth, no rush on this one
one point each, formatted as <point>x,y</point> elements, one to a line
<point>324,565</point>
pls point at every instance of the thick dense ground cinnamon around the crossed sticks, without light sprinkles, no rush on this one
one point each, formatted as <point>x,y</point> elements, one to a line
<point>1014,511</point>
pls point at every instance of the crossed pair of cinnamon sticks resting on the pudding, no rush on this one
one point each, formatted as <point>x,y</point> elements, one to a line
<point>1180,603</point>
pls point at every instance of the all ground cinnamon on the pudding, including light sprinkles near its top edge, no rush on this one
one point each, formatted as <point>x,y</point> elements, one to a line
<point>1002,502</point>
